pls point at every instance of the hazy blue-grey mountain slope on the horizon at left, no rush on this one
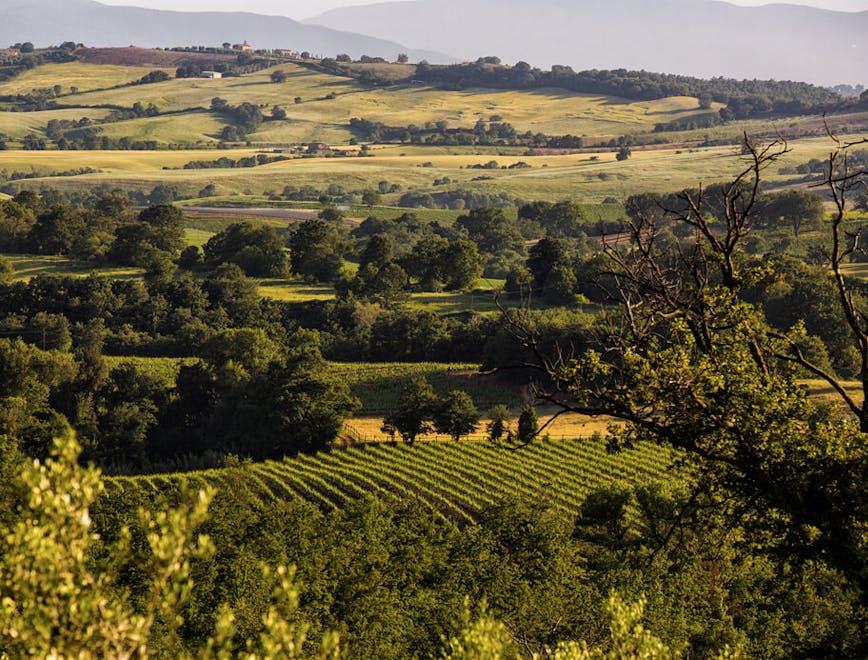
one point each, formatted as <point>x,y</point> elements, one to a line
<point>47,22</point>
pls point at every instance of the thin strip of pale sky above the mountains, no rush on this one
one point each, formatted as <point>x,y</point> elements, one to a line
<point>306,8</point>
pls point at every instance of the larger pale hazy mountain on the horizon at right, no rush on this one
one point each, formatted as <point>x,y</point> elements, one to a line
<point>704,38</point>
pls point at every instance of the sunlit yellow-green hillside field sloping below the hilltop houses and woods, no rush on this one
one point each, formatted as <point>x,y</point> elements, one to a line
<point>329,102</point>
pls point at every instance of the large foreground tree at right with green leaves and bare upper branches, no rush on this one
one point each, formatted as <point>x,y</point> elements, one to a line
<point>699,369</point>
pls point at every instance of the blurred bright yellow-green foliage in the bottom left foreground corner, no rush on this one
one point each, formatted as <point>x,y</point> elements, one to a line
<point>60,600</point>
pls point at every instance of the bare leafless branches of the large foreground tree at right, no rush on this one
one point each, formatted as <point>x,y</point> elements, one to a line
<point>651,282</point>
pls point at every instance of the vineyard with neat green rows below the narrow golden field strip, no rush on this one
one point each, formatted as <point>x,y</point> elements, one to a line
<point>456,480</point>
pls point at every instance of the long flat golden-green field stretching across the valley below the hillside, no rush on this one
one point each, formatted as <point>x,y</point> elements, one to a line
<point>583,177</point>
